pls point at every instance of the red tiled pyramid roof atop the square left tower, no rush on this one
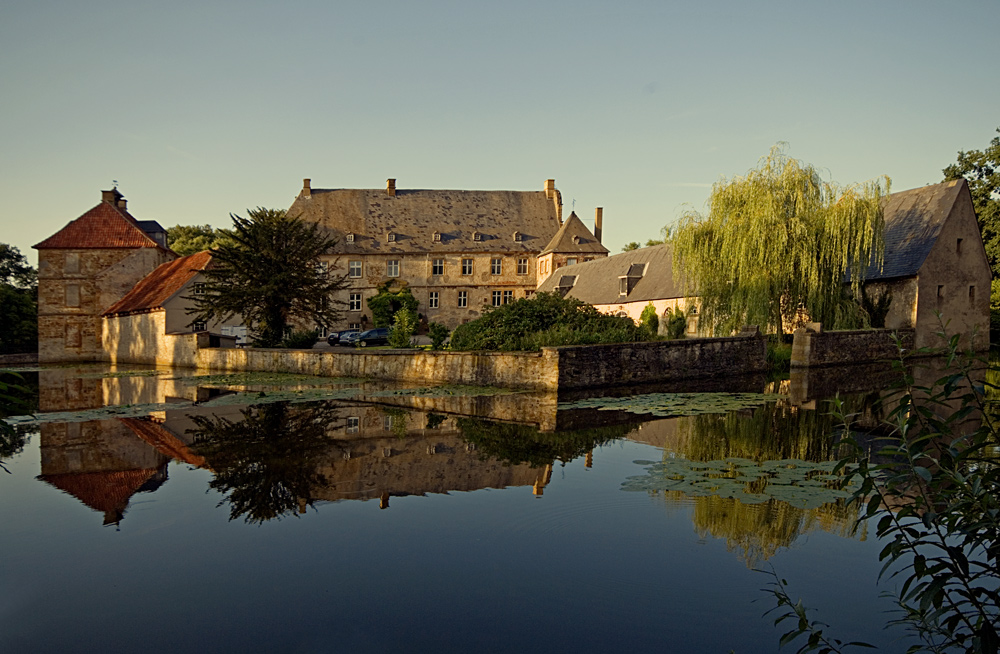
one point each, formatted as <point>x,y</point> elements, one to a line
<point>104,226</point>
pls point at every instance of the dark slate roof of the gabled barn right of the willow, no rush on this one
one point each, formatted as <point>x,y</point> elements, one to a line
<point>913,222</point>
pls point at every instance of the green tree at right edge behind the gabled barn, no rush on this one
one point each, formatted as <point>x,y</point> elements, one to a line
<point>982,170</point>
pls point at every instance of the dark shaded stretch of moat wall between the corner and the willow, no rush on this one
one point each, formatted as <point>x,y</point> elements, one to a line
<point>588,366</point>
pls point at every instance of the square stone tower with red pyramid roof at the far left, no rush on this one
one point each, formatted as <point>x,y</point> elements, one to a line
<point>86,267</point>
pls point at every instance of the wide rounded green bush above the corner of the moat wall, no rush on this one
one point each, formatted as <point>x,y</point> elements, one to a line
<point>544,319</point>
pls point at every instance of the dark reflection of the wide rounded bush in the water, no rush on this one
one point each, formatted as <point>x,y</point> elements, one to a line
<point>514,444</point>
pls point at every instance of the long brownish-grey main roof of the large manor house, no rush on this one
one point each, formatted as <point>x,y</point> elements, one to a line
<point>415,216</point>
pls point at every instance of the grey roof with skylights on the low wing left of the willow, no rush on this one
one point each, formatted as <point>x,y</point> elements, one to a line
<point>597,281</point>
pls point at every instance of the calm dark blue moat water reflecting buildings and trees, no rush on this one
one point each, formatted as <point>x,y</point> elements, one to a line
<point>386,519</point>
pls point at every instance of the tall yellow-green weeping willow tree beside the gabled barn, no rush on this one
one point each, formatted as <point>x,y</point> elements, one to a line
<point>777,244</point>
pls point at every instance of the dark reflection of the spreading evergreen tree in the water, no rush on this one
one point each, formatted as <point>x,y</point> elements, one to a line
<point>266,464</point>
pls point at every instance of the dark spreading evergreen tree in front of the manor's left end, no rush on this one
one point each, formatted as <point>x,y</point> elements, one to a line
<point>270,275</point>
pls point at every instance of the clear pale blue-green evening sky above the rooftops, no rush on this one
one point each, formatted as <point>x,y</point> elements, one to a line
<point>202,109</point>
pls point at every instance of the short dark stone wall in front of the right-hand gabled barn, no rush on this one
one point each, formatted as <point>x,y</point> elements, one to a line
<point>813,347</point>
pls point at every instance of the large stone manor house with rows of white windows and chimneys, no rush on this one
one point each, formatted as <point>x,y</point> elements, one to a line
<point>457,251</point>
